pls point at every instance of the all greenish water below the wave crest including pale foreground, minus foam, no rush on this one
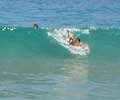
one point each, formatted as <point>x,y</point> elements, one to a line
<point>35,66</point>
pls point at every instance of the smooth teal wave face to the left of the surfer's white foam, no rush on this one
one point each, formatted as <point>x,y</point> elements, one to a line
<point>28,42</point>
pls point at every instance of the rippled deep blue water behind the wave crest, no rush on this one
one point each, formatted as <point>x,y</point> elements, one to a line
<point>59,13</point>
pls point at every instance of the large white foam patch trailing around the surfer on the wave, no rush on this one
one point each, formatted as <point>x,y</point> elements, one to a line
<point>60,36</point>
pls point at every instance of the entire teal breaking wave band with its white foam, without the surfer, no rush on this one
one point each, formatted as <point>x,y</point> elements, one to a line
<point>47,42</point>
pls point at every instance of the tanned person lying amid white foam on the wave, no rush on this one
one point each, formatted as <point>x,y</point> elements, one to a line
<point>73,41</point>
